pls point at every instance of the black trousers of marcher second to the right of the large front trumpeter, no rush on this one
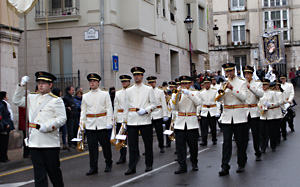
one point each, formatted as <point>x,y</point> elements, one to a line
<point>269,131</point>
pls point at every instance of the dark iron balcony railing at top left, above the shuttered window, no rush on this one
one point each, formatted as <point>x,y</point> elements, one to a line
<point>57,8</point>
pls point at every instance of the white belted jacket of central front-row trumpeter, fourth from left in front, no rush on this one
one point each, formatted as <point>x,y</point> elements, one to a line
<point>186,110</point>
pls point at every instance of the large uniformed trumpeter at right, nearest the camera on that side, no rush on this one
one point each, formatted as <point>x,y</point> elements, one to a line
<point>233,119</point>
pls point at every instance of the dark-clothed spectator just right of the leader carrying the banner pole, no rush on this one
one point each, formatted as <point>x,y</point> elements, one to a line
<point>71,111</point>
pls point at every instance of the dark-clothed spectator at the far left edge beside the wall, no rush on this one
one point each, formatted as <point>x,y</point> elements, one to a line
<point>7,127</point>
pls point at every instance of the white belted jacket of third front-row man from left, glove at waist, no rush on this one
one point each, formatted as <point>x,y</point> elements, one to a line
<point>139,97</point>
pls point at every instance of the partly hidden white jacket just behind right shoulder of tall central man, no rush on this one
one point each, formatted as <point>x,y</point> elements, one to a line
<point>161,104</point>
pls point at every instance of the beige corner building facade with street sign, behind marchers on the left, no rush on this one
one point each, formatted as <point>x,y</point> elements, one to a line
<point>84,35</point>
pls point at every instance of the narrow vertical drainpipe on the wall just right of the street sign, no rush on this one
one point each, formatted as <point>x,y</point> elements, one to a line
<point>101,40</point>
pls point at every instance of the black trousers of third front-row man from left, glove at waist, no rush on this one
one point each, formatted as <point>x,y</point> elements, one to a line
<point>133,144</point>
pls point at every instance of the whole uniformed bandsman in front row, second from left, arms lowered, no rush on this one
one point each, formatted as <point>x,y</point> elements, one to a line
<point>96,116</point>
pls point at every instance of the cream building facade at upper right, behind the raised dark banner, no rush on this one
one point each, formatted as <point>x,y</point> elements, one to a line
<point>240,22</point>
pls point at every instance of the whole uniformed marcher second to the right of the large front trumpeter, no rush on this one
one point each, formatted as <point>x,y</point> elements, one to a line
<point>268,105</point>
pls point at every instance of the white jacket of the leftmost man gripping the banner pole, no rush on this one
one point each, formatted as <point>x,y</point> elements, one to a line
<point>52,116</point>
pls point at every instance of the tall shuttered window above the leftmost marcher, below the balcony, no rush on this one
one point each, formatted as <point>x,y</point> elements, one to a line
<point>61,57</point>
